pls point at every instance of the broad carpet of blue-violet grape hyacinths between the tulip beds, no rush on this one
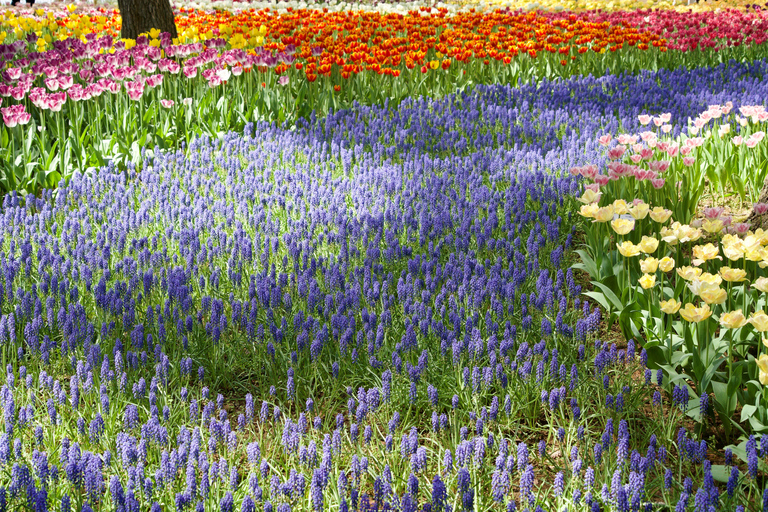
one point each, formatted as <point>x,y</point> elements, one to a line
<point>379,274</point>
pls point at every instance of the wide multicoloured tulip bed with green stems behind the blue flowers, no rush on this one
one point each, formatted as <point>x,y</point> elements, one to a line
<point>230,68</point>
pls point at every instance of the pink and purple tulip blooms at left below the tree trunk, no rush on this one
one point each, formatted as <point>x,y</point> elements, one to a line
<point>78,71</point>
